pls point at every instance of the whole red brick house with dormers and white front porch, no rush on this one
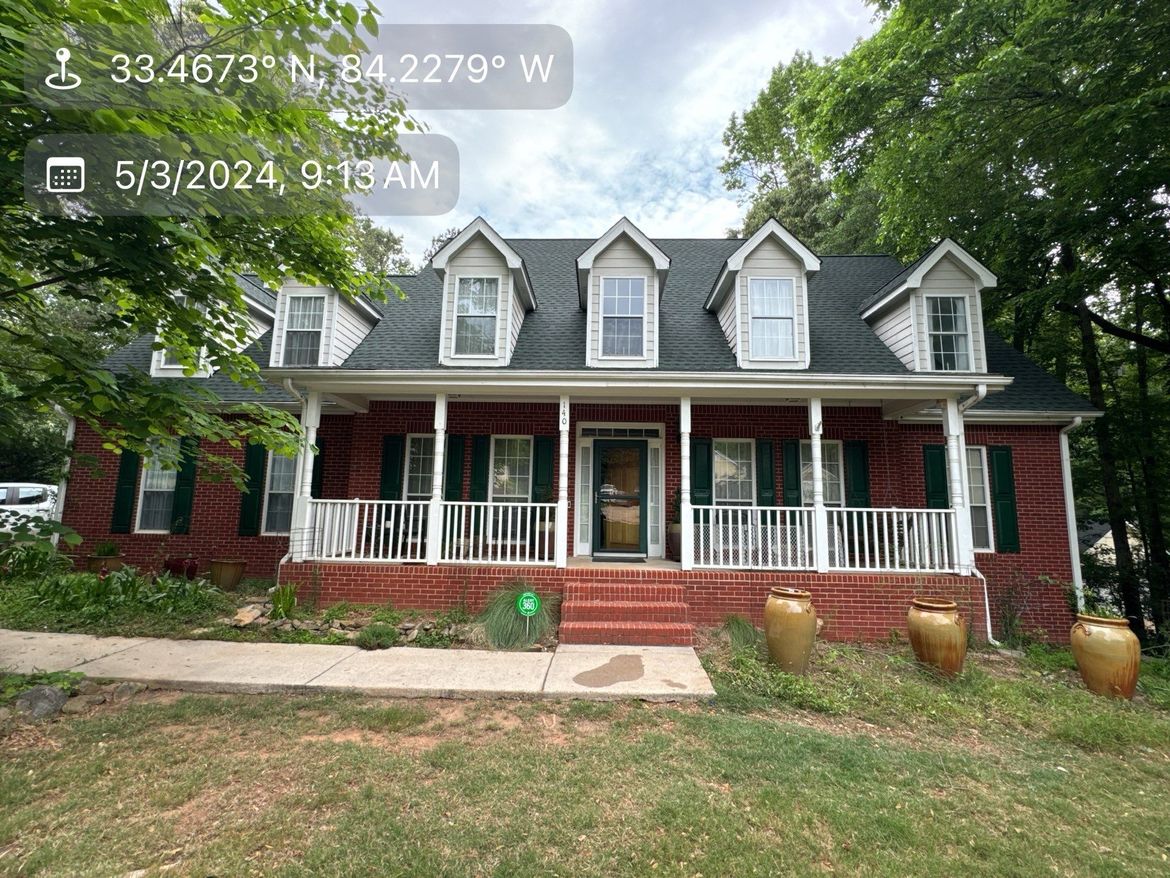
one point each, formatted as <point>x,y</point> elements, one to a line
<point>549,409</point>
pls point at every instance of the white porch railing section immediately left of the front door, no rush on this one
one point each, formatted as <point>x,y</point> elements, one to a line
<point>479,533</point>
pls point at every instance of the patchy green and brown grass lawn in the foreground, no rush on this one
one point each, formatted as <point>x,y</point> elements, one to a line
<point>1010,771</point>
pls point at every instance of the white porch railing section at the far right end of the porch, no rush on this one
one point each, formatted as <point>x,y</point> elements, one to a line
<point>911,540</point>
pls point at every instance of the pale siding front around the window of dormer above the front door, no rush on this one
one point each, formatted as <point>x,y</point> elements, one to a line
<point>620,263</point>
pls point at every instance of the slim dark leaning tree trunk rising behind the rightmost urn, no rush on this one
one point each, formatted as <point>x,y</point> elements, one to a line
<point>1127,577</point>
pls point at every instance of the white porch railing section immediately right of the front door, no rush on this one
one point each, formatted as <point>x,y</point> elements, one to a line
<point>765,538</point>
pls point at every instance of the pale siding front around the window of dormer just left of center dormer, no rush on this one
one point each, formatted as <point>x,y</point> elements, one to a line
<point>479,260</point>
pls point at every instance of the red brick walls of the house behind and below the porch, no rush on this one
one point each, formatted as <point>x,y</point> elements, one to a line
<point>1031,581</point>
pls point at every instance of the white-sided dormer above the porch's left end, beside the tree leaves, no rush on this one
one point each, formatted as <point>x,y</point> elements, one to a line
<point>340,324</point>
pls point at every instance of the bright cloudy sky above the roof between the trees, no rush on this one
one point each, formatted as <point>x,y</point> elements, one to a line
<point>655,85</point>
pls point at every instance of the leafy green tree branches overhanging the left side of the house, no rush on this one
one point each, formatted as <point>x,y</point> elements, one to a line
<point>129,267</point>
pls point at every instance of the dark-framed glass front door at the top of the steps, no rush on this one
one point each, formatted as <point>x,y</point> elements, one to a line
<point>620,502</point>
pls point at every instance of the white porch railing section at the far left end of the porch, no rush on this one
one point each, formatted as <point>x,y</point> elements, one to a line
<point>368,531</point>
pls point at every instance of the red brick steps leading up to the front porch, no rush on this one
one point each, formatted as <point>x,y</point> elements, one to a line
<point>636,615</point>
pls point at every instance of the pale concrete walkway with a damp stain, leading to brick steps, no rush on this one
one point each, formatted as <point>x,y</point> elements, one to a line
<point>652,674</point>
